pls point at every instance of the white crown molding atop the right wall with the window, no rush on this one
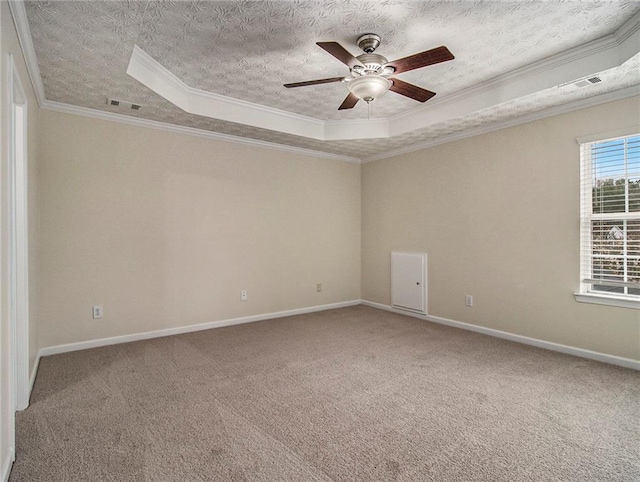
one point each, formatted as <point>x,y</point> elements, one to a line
<point>543,114</point>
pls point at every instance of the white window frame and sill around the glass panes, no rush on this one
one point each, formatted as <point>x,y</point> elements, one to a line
<point>587,294</point>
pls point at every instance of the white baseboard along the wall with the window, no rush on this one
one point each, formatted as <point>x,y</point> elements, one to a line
<point>570,350</point>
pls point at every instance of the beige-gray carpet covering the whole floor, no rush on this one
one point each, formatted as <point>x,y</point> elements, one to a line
<point>349,394</point>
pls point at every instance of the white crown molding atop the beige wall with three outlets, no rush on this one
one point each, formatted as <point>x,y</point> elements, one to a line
<point>191,131</point>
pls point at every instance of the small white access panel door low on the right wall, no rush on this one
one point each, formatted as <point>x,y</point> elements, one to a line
<point>409,281</point>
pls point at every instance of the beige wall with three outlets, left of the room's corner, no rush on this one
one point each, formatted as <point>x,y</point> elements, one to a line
<point>164,229</point>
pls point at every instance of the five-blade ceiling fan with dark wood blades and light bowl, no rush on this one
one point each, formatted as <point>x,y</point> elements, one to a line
<point>371,73</point>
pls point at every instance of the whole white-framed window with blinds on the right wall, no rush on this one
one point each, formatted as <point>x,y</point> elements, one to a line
<point>610,221</point>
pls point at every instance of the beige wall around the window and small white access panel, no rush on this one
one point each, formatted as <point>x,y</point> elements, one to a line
<point>498,216</point>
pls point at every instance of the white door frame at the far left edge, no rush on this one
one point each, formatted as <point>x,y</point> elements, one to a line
<point>18,239</point>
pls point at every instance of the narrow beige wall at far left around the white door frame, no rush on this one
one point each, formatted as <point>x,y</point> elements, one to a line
<point>9,45</point>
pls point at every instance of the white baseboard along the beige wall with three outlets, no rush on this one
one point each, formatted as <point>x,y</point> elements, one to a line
<point>83,345</point>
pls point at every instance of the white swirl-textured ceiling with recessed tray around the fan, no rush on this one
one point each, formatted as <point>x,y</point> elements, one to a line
<point>247,50</point>
